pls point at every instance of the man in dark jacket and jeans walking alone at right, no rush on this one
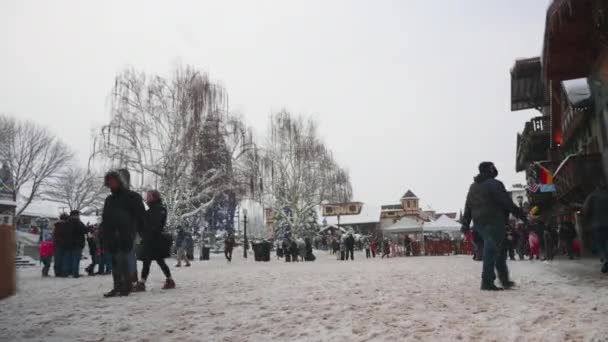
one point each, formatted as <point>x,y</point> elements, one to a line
<point>488,205</point>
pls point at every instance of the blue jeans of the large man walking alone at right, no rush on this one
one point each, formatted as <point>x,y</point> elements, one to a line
<point>494,256</point>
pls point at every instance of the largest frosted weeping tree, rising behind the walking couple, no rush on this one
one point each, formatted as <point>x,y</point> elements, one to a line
<point>157,131</point>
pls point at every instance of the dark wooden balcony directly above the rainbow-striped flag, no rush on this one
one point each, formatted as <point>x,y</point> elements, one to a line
<point>533,143</point>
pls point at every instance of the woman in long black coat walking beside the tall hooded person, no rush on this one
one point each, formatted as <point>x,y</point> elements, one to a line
<point>155,244</point>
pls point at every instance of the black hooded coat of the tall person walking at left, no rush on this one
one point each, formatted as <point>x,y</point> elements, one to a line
<point>123,216</point>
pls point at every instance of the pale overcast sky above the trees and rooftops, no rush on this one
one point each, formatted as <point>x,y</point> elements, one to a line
<point>409,94</point>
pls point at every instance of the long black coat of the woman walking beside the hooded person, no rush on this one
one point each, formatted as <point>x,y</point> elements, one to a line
<point>155,244</point>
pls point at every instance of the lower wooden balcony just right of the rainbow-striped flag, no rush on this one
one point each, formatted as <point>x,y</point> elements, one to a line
<point>577,176</point>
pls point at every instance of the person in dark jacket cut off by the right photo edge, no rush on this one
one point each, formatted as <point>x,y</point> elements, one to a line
<point>595,213</point>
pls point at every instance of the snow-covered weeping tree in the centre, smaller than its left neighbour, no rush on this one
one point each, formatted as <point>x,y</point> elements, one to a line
<point>299,173</point>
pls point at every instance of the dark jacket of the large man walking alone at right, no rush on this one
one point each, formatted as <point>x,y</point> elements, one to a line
<point>488,203</point>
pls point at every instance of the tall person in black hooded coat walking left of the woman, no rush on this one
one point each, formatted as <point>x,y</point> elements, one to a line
<point>123,216</point>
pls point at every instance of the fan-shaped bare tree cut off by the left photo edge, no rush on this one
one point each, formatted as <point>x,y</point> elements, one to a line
<point>33,155</point>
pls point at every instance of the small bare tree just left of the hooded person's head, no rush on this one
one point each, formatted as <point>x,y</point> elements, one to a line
<point>78,189</point>
